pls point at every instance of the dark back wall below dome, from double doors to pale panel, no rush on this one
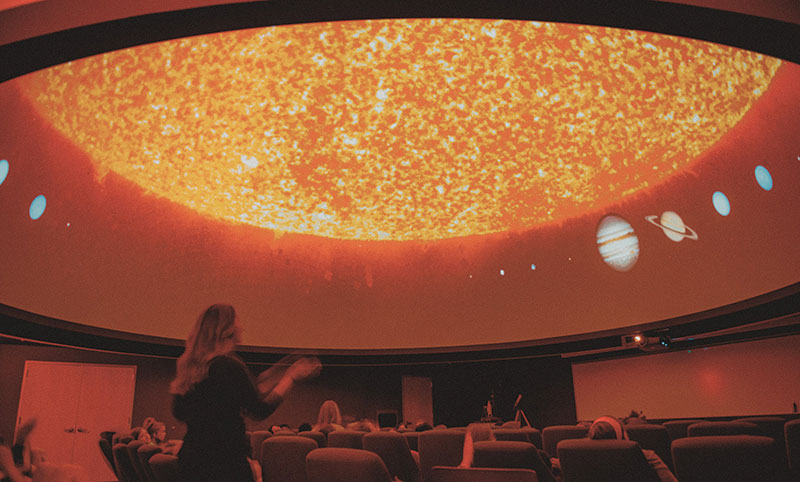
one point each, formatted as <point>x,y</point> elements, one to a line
<point>459,389</point>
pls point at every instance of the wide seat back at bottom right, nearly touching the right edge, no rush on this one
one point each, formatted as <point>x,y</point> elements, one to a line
<point>726,458</point>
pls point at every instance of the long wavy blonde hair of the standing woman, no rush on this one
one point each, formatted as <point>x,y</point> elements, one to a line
<point>212,335</point>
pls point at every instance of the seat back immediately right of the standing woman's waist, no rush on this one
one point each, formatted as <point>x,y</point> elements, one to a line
<point>283,459</point>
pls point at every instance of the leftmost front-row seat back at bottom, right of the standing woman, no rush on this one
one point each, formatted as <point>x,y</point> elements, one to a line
<point>337,464</point>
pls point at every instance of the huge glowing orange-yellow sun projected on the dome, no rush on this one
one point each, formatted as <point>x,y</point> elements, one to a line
<point>401,129</point>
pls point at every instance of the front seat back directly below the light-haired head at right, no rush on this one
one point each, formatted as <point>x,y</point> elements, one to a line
<point>586,460</point>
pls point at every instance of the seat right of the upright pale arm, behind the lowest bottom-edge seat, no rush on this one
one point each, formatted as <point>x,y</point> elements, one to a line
<point>511,455</point>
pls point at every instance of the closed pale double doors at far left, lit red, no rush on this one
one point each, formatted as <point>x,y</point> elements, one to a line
<point>73,403</point>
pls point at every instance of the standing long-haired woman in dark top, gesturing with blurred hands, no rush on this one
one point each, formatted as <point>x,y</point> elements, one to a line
<point>212,389</point>
